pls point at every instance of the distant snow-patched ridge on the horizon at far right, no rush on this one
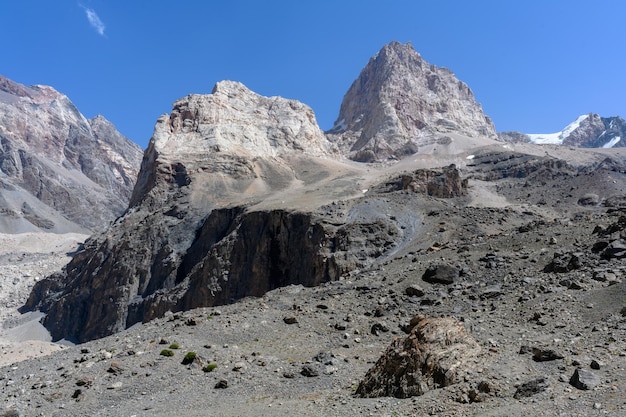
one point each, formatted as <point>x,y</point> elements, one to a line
<point>587,131</point>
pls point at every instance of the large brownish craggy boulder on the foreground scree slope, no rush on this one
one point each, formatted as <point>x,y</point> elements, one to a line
<point>435,354</point>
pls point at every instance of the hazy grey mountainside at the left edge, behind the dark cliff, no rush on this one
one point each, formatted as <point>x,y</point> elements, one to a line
<point>62,172</point>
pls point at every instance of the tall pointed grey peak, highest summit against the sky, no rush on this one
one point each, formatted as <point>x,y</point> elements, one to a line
<point>399,101</point>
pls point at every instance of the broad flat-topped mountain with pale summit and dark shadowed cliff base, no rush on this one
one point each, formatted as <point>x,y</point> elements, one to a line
<point>212,217</point>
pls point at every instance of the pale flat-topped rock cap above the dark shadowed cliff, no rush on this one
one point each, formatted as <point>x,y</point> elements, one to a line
<point>234,119</point>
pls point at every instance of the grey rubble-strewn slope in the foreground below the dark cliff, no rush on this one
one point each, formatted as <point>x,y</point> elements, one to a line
<point>539,302</point>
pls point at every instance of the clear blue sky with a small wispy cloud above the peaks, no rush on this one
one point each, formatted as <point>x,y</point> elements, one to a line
<point>533,65</point>
